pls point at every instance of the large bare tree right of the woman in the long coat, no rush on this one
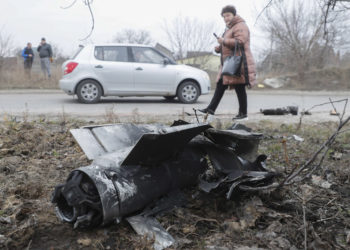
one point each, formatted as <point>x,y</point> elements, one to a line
<point>297,36</point>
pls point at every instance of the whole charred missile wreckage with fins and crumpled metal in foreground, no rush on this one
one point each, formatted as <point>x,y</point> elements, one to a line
<point>136,167</point>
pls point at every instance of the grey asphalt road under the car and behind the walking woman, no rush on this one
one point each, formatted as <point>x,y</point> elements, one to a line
<point>53,102</point>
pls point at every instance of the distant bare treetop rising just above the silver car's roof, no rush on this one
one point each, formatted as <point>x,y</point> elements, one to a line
<point>133,36</point>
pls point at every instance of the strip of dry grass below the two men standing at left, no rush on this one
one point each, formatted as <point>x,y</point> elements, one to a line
<point>16,78</point>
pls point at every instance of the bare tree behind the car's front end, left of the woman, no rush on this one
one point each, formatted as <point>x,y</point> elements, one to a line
<point>186,34</point>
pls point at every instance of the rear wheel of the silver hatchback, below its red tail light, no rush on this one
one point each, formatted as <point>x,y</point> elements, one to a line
<point>89,91</point>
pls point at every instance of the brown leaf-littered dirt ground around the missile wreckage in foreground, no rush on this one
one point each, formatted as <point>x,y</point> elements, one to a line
<point>35,156</point>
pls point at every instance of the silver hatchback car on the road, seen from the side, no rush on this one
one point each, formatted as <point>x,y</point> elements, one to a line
<point>130,70</point>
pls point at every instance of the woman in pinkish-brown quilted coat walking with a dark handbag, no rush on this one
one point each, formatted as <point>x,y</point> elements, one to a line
<point>236,31</point>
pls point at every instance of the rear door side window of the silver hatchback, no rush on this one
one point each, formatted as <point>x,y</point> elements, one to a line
<point>111,53</point>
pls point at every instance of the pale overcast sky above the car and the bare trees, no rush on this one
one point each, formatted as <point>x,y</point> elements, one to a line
<point>29,20</point>
